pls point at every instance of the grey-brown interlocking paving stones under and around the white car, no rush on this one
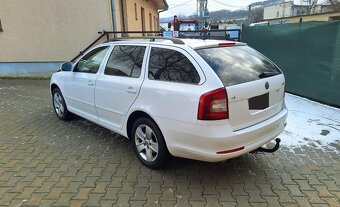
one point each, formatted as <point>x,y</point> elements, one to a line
<point>45,162</point>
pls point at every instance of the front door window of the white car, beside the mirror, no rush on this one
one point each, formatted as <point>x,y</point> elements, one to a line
<point>90,63</point>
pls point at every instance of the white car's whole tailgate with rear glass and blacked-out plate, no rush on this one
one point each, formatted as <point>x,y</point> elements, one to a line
<point>255,86</point>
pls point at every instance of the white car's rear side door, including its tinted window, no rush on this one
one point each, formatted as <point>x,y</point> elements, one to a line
<point>118,87</point>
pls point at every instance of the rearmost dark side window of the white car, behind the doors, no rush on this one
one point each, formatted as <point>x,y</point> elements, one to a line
<point>171,65</point>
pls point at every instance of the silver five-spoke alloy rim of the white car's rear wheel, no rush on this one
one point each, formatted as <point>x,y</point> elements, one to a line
<point>146,143</point>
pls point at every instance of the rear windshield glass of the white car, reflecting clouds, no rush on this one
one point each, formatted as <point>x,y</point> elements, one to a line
<point>238,64</point>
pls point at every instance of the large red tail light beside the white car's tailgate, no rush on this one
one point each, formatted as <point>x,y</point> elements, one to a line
<point>213,105</point>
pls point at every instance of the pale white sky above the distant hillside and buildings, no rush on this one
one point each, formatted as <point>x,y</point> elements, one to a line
<point>188,7</point>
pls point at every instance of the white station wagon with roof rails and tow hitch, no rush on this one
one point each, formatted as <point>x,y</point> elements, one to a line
<point>207,100</point>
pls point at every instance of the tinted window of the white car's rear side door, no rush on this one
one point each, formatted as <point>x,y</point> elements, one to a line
<point>125,60</point>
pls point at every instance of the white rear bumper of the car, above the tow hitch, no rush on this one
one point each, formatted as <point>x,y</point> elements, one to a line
<point>202,142</point>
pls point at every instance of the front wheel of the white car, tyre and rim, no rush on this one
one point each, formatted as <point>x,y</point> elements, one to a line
<point>59,105</point>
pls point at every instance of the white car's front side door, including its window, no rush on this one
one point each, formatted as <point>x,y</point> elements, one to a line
<point>79,86</point>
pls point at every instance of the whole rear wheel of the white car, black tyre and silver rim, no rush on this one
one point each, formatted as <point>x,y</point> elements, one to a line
<point>149,144</point>
